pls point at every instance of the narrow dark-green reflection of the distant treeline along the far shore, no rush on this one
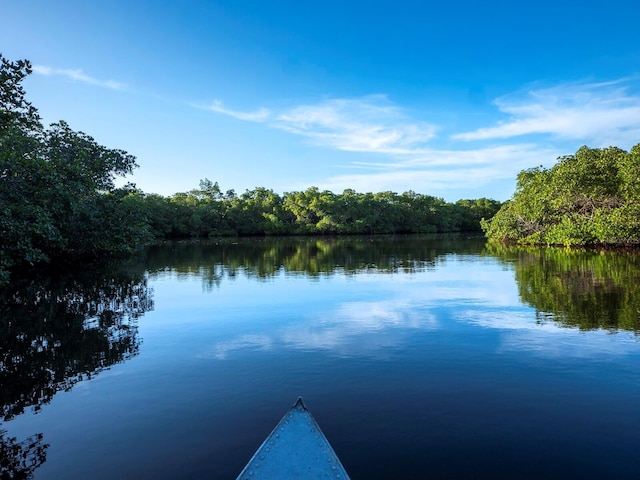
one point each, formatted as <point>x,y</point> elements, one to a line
<point>310,256</point>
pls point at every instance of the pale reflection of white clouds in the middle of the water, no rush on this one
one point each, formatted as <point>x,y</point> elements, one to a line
<point>368,313</point>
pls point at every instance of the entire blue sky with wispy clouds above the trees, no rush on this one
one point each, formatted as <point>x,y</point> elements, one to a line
<point>450,99</point>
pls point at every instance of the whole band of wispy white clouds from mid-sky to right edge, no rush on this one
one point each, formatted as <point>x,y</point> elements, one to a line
<point>405,152</point>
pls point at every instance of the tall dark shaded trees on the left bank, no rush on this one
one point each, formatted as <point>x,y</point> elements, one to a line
<point>57,187</point>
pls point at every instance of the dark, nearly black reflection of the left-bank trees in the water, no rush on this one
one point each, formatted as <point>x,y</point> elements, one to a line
<point>56,331</point>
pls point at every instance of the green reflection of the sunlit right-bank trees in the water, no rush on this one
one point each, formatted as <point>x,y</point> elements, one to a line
<point>577,288</point>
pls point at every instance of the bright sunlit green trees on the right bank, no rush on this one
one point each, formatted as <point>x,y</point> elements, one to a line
<point>590,198</point>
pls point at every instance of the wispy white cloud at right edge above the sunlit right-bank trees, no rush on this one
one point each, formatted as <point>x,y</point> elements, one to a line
<point>596,113</point>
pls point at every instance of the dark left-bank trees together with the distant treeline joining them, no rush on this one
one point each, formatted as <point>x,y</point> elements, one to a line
<point>59,199</point>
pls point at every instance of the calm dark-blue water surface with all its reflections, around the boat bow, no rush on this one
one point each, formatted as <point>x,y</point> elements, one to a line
<point>419,357</point>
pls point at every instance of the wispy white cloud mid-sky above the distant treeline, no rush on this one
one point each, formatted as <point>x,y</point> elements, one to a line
<point>404,158</point>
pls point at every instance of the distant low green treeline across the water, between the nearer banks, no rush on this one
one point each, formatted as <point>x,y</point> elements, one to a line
<point>207,212</point>
